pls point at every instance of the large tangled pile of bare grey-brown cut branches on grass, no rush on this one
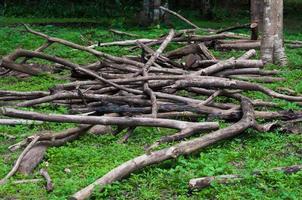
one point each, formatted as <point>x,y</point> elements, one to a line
<point>155,89</point>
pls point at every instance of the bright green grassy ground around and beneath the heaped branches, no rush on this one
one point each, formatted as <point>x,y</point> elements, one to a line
<point>93,156</point>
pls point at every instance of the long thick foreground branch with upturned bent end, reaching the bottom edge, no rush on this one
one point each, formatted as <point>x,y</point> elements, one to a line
<point>183,148</point>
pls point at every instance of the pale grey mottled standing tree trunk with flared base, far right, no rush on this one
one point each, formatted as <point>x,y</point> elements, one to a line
<point>272,47</point>
